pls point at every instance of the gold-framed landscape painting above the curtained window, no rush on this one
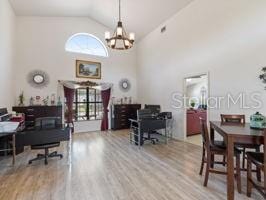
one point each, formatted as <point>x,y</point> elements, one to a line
<point>88,69</point>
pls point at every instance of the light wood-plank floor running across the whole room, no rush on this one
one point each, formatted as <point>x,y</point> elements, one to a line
<point>106,167</point>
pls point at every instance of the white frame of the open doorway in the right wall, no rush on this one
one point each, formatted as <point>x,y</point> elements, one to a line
<point>185,95</point>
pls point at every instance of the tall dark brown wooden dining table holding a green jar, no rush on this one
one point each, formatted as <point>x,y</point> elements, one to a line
<point>234,133</point>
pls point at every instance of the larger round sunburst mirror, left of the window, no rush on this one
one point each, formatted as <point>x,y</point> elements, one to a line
<point>38,79</point>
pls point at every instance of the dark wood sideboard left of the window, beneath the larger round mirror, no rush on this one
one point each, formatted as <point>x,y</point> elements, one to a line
<point>33,112</point>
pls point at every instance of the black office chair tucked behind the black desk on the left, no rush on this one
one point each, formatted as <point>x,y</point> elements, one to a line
<point>46,123</point>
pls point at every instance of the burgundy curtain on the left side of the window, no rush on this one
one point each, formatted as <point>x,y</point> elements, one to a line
<point>69,95</point>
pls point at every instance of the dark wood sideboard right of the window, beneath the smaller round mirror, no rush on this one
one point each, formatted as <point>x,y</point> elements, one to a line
<point>120,115</point>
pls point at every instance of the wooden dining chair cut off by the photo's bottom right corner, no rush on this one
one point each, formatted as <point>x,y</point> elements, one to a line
<point>258,159</point>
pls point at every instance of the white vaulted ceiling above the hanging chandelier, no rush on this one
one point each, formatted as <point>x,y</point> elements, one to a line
<point>139,16</point>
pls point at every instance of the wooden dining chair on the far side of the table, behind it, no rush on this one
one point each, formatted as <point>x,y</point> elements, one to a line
<point>240,120</point>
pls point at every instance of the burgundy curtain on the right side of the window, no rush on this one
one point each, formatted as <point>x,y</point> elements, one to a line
<point>105,98</point>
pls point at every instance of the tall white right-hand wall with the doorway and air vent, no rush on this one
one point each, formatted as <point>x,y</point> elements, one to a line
<point>225,38</point>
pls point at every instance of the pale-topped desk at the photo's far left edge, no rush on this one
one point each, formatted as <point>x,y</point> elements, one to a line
<point>10,129</point>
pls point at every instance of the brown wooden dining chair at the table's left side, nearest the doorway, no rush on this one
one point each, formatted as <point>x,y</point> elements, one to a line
<point>209,150</point>
